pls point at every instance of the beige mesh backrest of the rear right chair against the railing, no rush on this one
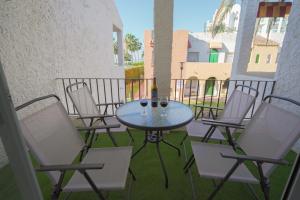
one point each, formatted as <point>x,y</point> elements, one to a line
<point>238,106</point>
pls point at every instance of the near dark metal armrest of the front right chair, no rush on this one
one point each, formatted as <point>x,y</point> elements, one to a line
<point>256,159</point>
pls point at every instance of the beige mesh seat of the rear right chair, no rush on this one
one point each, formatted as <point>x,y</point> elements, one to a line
<point>196,129</point>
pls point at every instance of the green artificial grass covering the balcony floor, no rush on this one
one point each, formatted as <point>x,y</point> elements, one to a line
<point>150,181</point>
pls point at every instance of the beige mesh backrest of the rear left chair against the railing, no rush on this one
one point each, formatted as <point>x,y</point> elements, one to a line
<point>83,101</point>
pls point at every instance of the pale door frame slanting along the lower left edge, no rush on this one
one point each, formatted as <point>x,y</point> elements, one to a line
<point>10,134</point>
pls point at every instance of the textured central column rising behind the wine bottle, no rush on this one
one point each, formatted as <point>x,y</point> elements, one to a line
<point>163,37</point>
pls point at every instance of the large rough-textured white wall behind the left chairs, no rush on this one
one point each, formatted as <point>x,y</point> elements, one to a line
<point>43,40</point>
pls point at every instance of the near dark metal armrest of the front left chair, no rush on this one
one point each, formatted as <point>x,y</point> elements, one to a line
<point>89,166</point>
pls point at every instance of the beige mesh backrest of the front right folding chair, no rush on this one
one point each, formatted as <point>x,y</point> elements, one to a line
<point>271,133</point>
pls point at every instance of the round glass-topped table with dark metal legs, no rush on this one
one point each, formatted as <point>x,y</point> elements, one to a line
<point>153,123</point>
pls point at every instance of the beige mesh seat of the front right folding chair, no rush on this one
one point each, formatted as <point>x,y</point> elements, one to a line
<point>212,165</point>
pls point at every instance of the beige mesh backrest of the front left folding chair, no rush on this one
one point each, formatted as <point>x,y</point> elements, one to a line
<point>51,137</point>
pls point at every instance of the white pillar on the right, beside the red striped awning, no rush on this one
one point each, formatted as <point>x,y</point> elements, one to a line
<point>244,38</point>
